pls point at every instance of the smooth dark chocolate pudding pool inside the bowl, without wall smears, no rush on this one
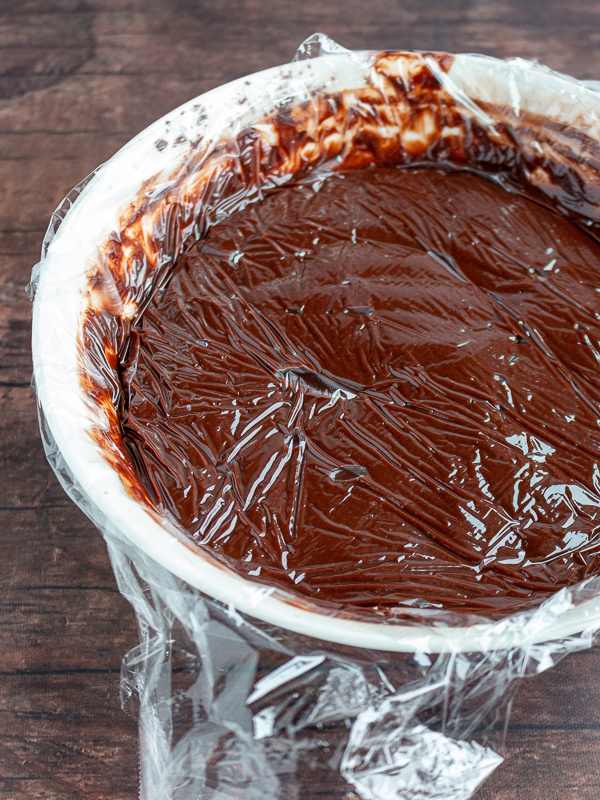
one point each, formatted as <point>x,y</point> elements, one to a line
<point>379,390</point>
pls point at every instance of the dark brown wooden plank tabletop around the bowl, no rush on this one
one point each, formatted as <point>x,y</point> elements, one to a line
<point>77,80</point>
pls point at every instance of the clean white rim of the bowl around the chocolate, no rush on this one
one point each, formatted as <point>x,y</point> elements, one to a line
<point>60,304</point>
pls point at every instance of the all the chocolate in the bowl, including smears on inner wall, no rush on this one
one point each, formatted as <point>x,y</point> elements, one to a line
<point>371,387</point>
